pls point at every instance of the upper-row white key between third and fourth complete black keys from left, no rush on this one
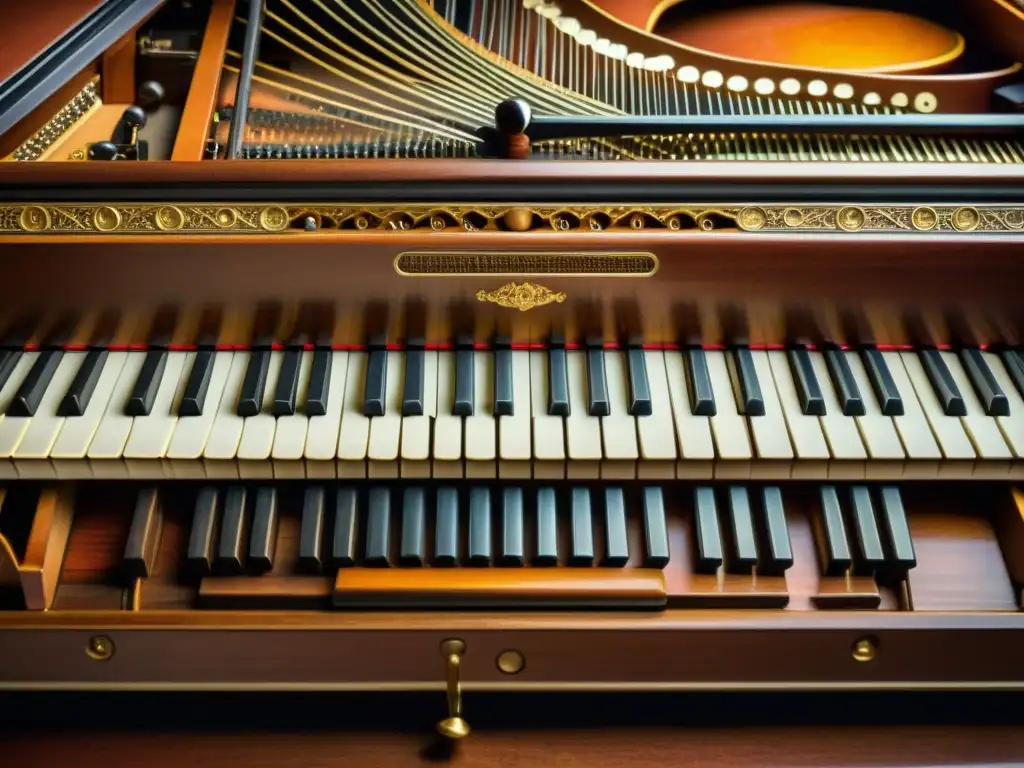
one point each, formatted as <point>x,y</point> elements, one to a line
<point>151,436</point>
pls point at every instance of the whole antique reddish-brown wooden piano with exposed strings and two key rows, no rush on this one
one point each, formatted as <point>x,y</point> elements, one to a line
<point>497,345</point>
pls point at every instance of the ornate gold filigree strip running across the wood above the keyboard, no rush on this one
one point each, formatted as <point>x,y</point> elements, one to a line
<point>234,219</point>
